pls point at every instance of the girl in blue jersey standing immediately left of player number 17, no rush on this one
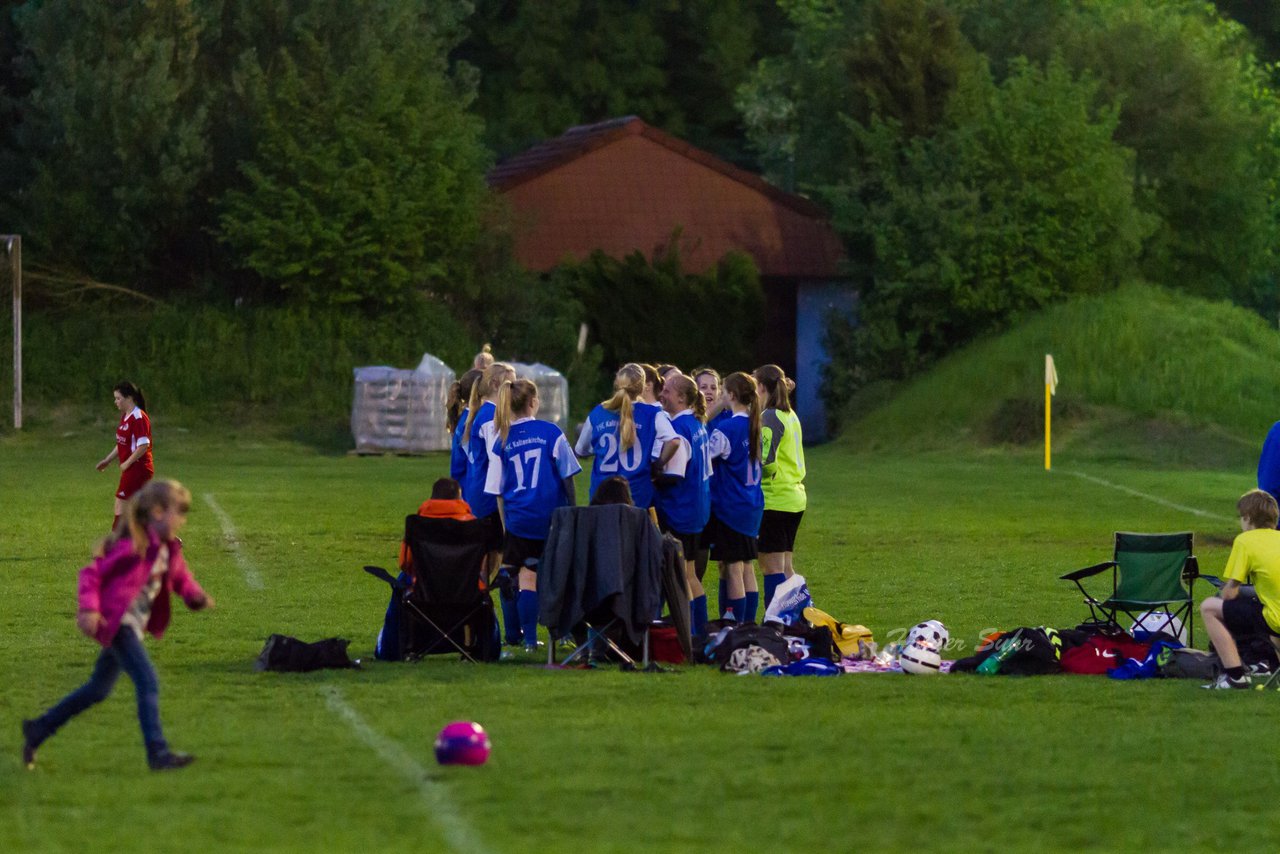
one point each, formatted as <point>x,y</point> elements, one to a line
<point>477,436</point>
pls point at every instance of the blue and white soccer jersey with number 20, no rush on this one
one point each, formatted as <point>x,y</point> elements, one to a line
<point>600,439</point>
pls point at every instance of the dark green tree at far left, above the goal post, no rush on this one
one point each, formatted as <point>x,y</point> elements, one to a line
<point>112,134</point>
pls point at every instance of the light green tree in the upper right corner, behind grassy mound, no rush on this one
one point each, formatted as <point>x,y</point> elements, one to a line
<point>1199,111</point>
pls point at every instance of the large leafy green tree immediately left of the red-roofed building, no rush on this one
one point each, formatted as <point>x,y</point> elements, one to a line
<point>365,180</point>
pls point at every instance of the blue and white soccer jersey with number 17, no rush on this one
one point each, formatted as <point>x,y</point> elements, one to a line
<point>529,472</point>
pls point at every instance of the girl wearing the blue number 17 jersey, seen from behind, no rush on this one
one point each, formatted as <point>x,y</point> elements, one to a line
<point>532,468</point>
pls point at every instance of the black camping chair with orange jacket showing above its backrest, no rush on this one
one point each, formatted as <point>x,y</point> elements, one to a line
<point>447,608</point>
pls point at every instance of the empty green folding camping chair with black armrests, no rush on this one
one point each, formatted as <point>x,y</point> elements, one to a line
<point>1149,572</point>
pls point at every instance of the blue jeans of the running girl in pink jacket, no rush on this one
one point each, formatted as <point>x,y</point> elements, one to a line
<point>126,654</point>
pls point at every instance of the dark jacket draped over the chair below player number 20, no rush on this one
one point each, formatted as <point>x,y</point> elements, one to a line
<point>601,563</point>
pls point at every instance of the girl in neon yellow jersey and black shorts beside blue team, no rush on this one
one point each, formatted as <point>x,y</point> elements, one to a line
<point>785,501</point>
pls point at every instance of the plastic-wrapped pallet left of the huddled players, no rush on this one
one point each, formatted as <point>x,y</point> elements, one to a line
<point>401,412</point>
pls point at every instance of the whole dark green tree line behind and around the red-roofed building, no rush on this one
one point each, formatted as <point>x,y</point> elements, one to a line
<point>981,158</point>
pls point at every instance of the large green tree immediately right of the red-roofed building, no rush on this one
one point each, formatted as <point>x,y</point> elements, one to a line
<point>1018,199</point>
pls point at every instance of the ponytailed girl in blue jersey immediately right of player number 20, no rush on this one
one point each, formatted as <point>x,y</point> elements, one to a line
<point>685,506</point>
